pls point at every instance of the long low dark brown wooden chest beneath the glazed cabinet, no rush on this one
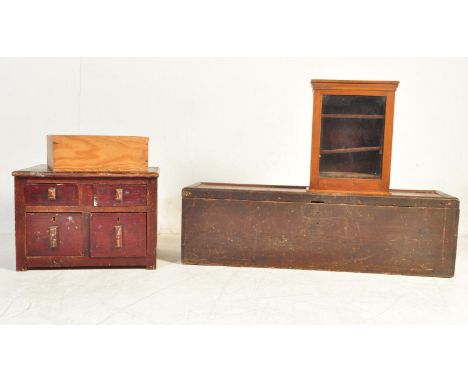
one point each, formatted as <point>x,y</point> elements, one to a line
<point>403,232</point>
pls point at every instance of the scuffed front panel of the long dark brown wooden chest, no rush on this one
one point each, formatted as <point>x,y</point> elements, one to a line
<point>356,238</point>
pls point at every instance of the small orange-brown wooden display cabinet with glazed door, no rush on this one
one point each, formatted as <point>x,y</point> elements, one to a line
<point>352,129</point>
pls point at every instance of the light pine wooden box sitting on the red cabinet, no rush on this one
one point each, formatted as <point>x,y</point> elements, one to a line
<point>97,153</point>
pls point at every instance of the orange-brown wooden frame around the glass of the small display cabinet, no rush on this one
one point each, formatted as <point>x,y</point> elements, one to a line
<point>376,184</point>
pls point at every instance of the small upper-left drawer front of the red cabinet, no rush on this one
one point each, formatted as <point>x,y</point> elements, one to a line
<point>51,194</point>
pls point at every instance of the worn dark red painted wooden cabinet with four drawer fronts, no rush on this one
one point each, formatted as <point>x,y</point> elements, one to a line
<point>85,219</point>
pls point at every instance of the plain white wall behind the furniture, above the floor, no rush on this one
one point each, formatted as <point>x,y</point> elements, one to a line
<point>228,120</point>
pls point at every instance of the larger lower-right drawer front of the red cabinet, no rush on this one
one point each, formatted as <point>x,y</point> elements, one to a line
<point>118,235</point>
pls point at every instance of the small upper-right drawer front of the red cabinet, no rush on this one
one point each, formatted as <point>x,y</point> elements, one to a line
<point>107,195</point>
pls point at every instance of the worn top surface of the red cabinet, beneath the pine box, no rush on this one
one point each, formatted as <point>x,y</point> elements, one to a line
<point>42,171</point>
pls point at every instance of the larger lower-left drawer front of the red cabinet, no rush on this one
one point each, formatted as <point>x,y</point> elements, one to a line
<point>49,234</point>
